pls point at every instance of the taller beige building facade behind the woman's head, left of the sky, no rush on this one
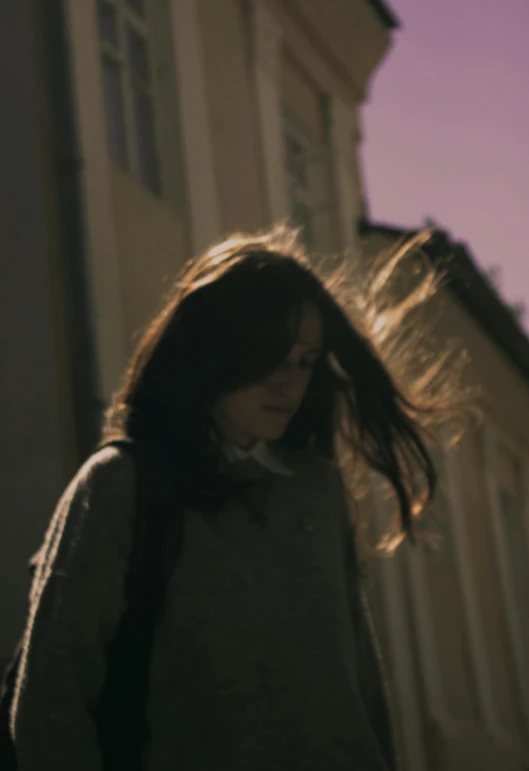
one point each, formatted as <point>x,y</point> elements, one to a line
<point>140,132</point>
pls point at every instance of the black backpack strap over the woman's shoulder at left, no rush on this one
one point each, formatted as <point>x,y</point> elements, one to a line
<point>121,715</point>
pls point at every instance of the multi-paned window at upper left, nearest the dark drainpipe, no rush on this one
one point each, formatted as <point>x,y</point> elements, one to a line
<point>129,88</point>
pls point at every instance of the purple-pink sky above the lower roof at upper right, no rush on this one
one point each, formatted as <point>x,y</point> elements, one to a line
<point>447,129</point>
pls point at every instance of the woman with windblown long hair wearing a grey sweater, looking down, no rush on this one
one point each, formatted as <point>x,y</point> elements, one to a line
<point>254,381</point>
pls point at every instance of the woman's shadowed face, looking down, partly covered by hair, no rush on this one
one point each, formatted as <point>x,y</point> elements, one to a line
<point>264,410</point>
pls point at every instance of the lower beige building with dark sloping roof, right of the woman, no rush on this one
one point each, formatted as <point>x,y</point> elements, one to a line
<point>453,621</point>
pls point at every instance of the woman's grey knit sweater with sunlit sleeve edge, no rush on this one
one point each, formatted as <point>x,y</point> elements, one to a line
<point>262,658</point>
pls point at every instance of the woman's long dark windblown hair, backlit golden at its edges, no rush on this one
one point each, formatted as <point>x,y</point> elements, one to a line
<point>228,322</point>
